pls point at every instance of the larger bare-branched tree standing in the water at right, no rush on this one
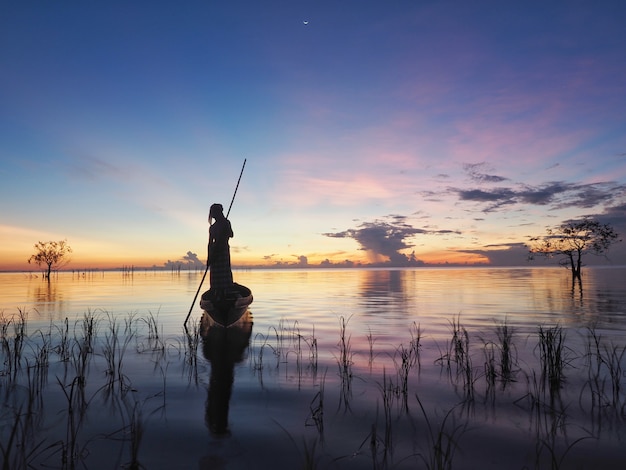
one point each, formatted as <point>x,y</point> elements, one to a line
<point>572,240</point>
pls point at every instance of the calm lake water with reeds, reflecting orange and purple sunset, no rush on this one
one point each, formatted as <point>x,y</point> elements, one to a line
<point>363,368</point>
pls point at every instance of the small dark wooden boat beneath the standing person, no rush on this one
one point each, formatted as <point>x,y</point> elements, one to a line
<point>229,307</point>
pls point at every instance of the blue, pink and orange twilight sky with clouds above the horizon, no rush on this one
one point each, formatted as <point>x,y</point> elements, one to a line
<point>374,132</point>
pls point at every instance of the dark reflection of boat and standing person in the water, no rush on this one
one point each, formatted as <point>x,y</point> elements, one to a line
<point>223,348</point>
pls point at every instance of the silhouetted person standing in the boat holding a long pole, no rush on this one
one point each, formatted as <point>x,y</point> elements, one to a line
<point>219,251</point>
